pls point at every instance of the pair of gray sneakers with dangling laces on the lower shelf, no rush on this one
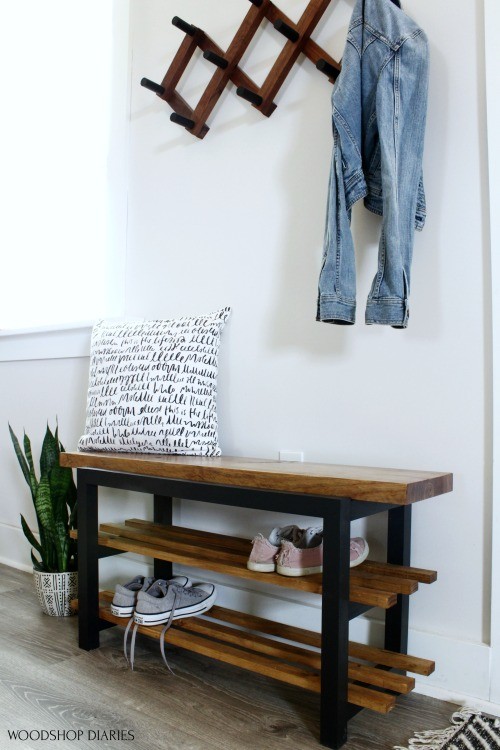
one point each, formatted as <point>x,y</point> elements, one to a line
<point>158,602</point>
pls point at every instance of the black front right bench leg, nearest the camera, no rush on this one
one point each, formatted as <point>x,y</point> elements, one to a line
<point>335,625</point>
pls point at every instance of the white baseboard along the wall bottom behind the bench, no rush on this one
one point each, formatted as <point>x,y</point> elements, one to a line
<point>462,667</point>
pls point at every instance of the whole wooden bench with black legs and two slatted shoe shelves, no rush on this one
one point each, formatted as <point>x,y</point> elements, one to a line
<point>349,676</point>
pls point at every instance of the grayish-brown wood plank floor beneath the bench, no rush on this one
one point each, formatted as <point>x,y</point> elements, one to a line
<point>47,683</point>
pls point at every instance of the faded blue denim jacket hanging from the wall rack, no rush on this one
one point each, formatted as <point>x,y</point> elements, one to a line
<point>379,106</point>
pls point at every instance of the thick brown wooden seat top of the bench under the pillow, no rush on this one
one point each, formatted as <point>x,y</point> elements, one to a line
<point>395,486</point>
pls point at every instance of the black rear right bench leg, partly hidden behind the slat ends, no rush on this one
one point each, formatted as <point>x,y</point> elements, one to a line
<point>399,553</point>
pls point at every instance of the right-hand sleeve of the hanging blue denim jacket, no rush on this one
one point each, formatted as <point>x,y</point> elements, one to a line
<point>401,102</point>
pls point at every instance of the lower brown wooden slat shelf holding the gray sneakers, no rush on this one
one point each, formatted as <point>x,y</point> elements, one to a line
<point>293,663</point>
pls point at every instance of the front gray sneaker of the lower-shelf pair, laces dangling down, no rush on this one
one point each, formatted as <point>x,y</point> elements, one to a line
<point>165,602</point>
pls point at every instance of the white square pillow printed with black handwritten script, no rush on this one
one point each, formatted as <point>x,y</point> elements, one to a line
<point>153,386</point>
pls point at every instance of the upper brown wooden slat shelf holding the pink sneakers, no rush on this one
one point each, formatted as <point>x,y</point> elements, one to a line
<point>371,584</point>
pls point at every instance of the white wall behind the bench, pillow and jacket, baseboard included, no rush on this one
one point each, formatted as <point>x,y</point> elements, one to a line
<point>238,219</point>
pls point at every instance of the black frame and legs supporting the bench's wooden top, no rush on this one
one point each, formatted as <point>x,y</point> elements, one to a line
<point>336,512</point>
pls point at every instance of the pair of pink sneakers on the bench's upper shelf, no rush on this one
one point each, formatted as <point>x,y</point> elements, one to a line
<point>291,551</point>
